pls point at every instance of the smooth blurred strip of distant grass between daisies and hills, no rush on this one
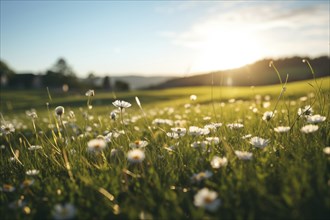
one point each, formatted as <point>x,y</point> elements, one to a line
<point>22,100</point>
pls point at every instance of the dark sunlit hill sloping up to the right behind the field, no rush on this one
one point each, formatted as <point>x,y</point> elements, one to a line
<point>256,74</point>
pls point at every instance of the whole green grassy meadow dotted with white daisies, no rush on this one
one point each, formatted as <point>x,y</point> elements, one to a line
<point>220,154</point>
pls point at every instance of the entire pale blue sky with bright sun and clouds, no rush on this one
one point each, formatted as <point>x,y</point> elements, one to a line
<point>158,38</point>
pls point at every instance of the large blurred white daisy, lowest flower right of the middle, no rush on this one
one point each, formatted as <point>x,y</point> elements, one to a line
<point>207,199</point>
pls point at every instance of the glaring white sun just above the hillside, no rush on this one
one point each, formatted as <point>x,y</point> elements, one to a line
<point>221,51</point>
